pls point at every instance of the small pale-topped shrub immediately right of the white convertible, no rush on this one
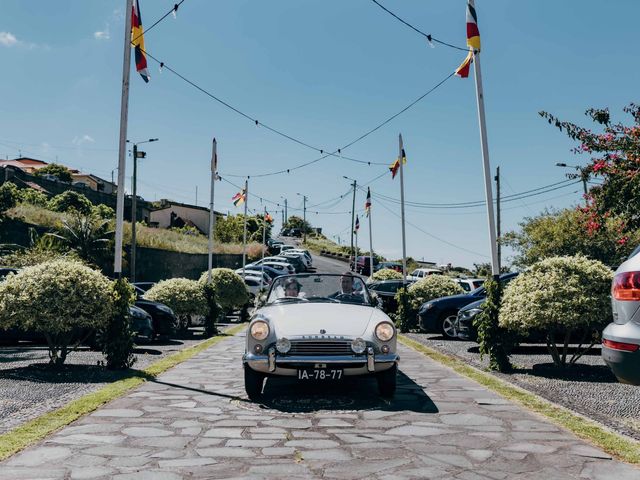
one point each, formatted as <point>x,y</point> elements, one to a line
<point>428,288</point>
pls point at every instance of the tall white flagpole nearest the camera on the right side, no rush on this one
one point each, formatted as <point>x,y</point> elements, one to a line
<point>495,270</point>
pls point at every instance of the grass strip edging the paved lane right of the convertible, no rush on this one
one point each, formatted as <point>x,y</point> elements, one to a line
<point>616,445</point>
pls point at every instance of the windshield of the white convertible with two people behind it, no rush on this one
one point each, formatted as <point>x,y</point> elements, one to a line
<point>347,288</point>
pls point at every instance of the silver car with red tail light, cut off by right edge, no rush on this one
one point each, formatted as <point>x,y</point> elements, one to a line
<point>621,339</point>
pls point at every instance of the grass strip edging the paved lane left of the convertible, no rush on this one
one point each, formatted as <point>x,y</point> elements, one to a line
<point>35,430</point>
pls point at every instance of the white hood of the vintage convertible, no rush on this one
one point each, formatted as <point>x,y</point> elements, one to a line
<point>294,320</point>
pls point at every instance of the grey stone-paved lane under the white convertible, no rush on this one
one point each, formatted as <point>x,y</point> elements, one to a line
<point>195,422</point>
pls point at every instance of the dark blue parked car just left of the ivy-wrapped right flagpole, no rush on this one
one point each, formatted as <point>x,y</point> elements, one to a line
<point>439,315</point>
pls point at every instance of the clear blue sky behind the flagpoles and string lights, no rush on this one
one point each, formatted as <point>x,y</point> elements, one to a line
<point>324,72</point>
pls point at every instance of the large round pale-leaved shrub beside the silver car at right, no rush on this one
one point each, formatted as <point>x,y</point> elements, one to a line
<point>567,298</point>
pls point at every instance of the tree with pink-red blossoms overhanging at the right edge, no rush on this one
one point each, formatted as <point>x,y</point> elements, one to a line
<point>614,153</point>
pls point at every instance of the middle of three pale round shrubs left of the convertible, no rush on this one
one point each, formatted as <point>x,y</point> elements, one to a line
<point>185,297</point>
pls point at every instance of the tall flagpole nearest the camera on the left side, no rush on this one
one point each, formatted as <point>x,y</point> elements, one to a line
<point>122,147</point>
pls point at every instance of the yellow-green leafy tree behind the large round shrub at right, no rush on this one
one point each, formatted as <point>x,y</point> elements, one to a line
<point>565,233</point>
